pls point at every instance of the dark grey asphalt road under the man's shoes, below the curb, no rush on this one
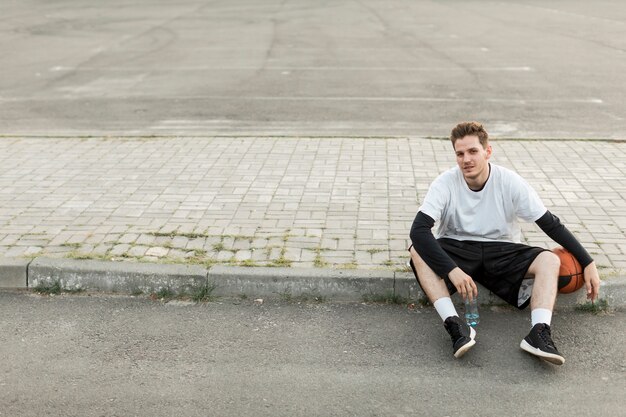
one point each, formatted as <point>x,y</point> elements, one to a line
<point>105,355</point>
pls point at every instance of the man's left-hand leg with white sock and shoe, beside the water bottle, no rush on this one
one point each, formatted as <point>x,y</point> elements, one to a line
<point>437,292</point>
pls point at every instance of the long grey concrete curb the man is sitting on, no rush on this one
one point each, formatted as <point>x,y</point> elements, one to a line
<point>232,281</point>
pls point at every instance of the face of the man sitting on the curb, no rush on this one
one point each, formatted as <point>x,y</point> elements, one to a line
<point>472,158</point>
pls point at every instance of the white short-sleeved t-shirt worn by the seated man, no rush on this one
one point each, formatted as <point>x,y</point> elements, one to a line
<point>487,215</point>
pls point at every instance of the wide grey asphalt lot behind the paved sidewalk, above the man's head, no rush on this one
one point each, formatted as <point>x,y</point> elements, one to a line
<point>526,68</point>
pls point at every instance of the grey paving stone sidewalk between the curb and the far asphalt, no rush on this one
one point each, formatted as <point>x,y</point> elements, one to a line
<point>301,202</point>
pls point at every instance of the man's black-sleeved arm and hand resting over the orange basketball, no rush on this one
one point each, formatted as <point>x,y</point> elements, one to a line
<point>553,227</point>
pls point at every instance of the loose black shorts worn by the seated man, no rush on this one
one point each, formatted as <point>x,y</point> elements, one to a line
<point>498,266</point>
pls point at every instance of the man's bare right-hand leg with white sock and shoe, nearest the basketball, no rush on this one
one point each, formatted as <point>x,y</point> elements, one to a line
<point>545,269</point>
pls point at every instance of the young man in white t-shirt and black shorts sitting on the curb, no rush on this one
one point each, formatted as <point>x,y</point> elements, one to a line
<point>477,205</point>
